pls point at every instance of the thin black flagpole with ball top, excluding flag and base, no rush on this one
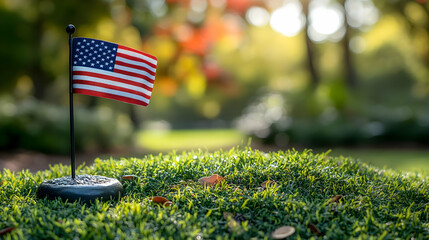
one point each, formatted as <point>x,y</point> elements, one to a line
<point>70,30</point>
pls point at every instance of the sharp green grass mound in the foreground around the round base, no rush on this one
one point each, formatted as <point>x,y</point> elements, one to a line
<point>369,202</point>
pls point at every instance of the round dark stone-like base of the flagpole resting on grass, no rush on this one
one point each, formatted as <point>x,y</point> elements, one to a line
<point>86,188</point>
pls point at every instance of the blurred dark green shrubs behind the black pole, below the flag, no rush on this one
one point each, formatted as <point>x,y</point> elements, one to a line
<point>42,127</point>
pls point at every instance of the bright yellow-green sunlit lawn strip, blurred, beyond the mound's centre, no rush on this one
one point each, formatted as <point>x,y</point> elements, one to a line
<point>163,141</point>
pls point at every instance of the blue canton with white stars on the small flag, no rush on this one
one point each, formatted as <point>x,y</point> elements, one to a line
<point>94,53</point>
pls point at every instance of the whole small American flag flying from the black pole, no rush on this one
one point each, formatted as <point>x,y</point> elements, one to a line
<point>109,70</point>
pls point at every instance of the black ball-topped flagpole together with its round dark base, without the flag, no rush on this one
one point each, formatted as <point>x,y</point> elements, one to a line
<point>86,188</point>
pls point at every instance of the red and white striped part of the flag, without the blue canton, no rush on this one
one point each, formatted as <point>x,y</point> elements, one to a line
<point>131,81</point>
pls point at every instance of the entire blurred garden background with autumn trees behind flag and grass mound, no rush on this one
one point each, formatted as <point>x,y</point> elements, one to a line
<point>346,75</point>
